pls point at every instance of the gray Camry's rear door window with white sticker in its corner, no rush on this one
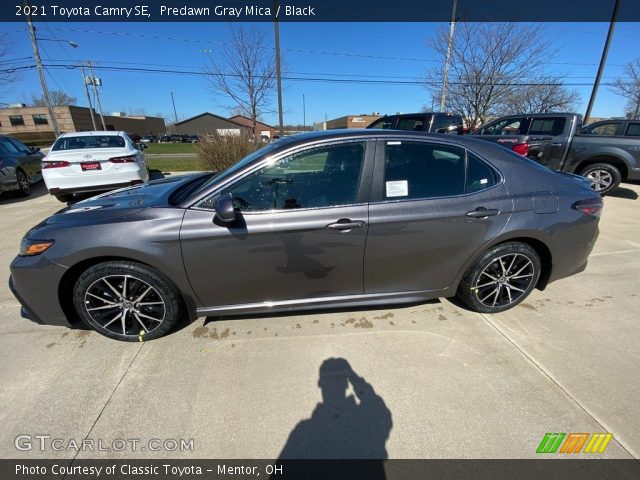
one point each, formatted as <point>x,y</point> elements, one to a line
<point>421,170</point>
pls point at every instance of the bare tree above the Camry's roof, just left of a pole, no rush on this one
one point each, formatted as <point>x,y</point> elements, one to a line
<point>244,72</point>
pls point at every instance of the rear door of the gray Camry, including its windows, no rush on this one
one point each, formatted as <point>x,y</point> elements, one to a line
<point>433,206</point>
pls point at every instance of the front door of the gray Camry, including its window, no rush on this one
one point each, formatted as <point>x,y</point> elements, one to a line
<point>299,234</point>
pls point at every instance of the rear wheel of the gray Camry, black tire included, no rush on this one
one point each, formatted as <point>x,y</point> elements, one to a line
<point>500,278</point>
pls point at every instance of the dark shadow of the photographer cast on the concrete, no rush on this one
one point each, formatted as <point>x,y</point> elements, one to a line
<point>343,425</point>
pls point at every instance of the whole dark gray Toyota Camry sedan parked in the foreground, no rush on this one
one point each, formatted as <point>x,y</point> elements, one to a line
<point>319,220</point>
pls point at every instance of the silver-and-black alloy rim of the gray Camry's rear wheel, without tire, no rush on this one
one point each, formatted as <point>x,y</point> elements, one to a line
<point>504,280</point>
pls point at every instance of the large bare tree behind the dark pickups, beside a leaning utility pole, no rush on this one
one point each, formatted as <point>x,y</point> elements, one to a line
<point>496,67</point>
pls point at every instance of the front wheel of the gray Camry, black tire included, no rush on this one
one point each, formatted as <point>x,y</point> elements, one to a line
<point>151,304</point>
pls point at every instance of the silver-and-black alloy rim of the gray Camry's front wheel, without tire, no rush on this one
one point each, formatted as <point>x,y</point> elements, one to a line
<point>125,305</point>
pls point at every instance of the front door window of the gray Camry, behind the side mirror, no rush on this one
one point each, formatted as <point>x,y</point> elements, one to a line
<point>324,176</point>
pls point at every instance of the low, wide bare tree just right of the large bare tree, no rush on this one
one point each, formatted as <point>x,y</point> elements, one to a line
<point>544,98</point>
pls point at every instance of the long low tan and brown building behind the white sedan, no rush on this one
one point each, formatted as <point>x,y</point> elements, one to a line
<point>32,125</point>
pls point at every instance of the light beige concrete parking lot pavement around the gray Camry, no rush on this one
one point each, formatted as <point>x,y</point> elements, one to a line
<point>447,383</point>
